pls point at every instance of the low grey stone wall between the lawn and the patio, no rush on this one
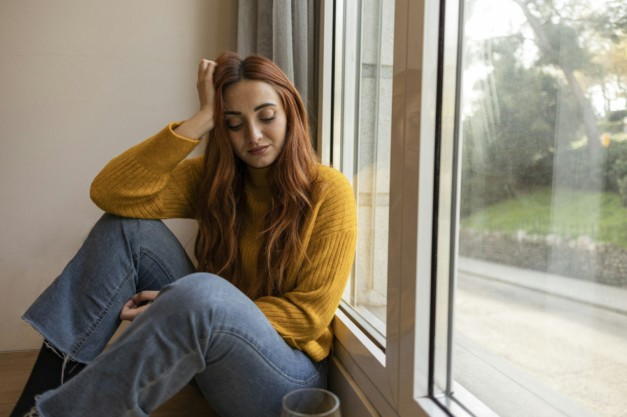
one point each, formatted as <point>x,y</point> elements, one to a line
<point>581,258</point>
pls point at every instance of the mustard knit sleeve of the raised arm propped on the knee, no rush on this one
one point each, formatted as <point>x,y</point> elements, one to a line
<point>152,180</point>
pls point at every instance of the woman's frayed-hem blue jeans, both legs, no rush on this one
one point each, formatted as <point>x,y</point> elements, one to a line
<point>200,327</point>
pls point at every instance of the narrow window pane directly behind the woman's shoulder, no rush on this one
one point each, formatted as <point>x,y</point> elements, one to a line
<point>365,157</point>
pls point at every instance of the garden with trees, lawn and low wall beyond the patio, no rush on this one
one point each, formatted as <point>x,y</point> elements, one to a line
<point>544,141</point>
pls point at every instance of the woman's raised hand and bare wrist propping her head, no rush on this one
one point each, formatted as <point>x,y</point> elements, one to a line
<point>202,122</point>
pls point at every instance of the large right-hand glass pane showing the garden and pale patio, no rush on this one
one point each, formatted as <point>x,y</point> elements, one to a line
<point>540,303</point>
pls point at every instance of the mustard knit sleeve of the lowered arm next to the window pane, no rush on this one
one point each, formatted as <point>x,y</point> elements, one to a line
<point>302,316</point>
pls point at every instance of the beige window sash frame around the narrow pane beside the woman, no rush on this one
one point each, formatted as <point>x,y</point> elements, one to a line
<point>382,374</point>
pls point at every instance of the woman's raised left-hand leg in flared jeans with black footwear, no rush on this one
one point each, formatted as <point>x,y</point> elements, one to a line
<point>78,313</point>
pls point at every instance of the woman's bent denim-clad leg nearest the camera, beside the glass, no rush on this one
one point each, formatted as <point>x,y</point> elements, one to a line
<point>200,326</point>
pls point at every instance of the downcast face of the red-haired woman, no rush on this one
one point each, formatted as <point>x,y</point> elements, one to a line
<point>255,121</point>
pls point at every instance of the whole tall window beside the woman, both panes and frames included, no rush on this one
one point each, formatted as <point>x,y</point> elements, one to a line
<point>487,145</point>
